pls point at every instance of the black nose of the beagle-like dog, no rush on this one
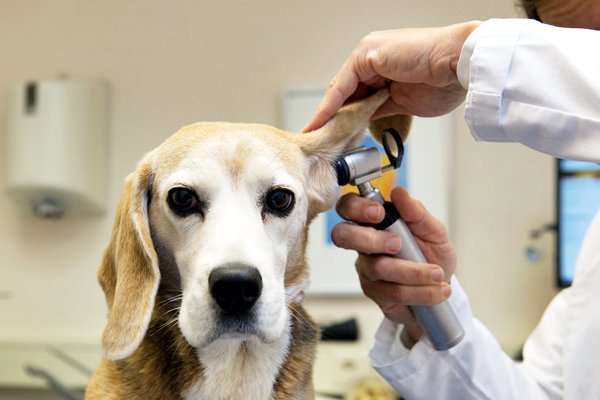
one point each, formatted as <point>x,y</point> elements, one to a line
<point>235,287</point>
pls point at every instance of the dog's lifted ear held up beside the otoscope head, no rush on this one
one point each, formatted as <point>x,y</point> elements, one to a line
<point>343,132</point>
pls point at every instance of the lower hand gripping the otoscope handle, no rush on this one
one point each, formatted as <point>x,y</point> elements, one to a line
<point>391,282</point>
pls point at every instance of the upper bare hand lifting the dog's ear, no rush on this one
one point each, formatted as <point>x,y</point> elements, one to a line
<point>418,66</point>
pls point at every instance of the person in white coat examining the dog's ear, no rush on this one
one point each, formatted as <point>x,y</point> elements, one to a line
<point>523,81</point>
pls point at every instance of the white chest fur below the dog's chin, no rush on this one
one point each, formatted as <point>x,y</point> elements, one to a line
<point>239,370</point>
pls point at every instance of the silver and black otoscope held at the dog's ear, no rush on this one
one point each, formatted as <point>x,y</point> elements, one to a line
<point>358,167</point>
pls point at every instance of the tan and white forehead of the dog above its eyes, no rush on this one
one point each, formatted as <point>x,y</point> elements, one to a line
<point>235,148</point>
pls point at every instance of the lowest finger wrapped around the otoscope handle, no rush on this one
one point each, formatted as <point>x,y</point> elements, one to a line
<point>387,293</point>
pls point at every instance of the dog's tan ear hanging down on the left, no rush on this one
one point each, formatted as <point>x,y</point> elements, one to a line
<point>129,273</point>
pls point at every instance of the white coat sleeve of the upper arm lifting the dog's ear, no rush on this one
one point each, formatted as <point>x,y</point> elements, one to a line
<point>534,84</point>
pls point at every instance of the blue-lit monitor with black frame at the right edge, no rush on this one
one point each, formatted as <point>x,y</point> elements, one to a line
<point>578,199</point>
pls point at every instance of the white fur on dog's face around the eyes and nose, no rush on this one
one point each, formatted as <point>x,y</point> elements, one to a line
<point>233,230</point>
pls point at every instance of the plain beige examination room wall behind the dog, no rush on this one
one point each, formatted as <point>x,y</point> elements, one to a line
<point>172,63</point>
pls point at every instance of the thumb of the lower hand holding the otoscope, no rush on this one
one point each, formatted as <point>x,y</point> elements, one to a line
<point>421,223</point>
